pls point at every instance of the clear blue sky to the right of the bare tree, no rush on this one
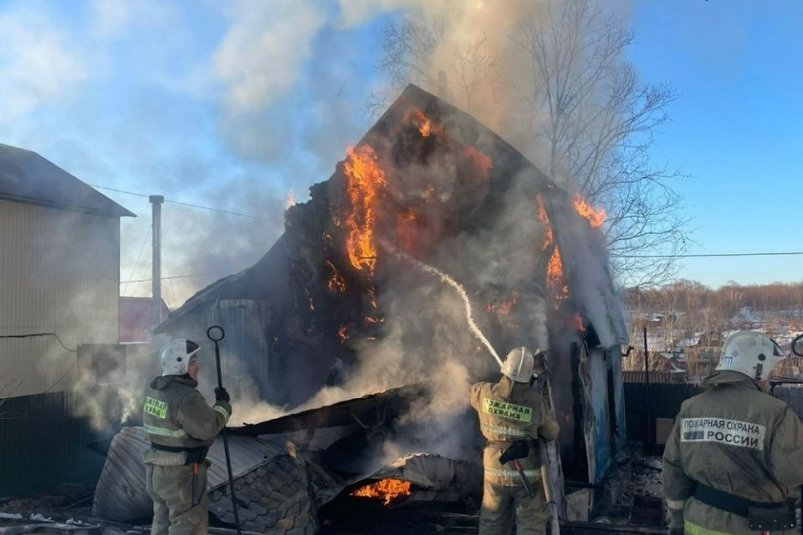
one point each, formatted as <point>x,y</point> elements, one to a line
<point>736,128</point>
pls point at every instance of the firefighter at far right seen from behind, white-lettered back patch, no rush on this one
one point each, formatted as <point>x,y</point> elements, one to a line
<point>735,451</point>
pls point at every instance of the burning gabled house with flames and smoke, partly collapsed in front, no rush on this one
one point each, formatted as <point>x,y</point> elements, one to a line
<point>433,248</point>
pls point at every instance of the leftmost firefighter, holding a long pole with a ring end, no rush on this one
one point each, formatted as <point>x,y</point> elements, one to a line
<point>181,427</point>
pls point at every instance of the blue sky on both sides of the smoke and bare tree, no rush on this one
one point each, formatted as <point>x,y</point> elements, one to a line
<point>239,105</point>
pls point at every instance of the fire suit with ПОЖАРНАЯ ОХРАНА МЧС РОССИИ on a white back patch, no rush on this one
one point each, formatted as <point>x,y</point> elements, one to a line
<point>734,438</point>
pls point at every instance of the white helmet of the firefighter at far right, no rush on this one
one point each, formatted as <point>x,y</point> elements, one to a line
<point>751,353</point>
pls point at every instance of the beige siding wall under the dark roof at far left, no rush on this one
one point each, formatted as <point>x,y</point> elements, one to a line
<point>60,273</point>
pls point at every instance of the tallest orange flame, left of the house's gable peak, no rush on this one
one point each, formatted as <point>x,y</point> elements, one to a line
<point>364,180</point>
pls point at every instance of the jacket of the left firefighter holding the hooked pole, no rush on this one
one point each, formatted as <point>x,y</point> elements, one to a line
<point>175,414</point>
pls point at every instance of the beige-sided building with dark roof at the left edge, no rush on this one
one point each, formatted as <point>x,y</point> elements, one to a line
<point>59,272</point>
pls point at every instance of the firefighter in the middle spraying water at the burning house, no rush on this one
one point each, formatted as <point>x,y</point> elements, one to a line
<point>511,413</point>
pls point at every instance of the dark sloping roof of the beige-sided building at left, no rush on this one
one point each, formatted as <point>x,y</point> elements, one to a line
<point>27,177</point>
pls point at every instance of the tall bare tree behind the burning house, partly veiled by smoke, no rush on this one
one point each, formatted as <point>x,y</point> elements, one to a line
<point>574,104</point>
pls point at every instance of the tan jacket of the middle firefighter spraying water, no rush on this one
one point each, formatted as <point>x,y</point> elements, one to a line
<point>508,412</point>
